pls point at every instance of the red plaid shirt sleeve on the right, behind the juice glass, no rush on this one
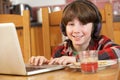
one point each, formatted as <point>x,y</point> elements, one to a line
<point>109,50</point>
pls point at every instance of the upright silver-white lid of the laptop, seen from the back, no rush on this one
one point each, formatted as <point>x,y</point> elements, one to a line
<point>11,60</point>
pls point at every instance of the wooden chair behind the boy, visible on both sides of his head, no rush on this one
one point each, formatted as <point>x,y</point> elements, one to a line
<point>51,30</point>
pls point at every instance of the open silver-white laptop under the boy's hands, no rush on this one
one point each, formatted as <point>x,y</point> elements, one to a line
<point>11,59</point>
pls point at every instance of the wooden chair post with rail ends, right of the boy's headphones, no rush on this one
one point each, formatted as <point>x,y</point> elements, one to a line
<point>107,19</point>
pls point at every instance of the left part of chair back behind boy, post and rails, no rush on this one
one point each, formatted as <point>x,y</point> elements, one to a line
<point>50,31</point>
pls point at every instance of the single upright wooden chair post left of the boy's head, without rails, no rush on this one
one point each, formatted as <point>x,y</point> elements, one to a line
<point>46,33</point>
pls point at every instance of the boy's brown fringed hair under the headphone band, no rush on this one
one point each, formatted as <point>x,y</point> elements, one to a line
<point>79,10</point>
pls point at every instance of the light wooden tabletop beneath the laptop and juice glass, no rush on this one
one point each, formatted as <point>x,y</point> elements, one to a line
<point>108,73</point>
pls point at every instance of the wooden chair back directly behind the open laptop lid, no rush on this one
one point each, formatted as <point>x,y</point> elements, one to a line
<point>22,24</point>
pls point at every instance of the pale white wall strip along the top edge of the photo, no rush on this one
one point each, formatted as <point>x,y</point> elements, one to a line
<point>35,3</point>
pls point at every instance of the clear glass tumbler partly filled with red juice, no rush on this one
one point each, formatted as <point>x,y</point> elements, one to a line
<point>89,61</point>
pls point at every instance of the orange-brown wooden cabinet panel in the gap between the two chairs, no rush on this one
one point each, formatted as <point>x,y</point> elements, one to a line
<point>36,41</point>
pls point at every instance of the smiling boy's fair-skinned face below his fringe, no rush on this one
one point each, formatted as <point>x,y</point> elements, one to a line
<point>78,33</point>
